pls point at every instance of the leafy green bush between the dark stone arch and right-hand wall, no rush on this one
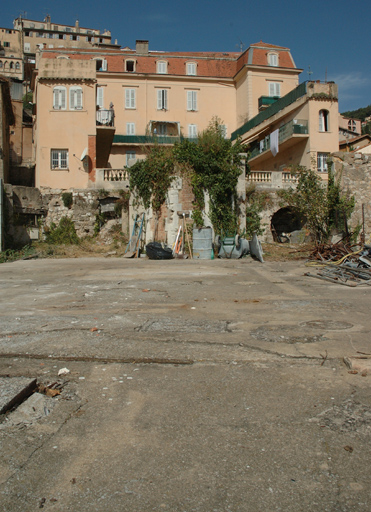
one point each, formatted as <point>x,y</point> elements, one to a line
<point>323,207</point>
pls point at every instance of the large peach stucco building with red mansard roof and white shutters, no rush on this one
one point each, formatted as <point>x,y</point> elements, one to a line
<point>148,103</point>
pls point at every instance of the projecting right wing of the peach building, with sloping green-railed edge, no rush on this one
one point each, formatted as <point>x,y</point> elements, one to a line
<point>307,128</point>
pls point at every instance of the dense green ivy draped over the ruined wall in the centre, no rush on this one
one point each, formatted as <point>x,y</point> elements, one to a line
<point>211,163</point>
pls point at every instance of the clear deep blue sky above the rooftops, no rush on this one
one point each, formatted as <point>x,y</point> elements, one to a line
<point>330,36</point>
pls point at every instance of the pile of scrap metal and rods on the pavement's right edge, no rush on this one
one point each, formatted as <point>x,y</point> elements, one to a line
<point>342,263</point>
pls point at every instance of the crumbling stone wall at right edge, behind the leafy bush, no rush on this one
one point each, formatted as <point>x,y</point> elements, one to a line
<point>354,170</point>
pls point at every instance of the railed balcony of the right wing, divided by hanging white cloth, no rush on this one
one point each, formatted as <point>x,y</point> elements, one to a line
<point>288,135</point>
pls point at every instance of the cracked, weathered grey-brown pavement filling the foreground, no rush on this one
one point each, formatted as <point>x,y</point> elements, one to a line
<point>194,386</point>
